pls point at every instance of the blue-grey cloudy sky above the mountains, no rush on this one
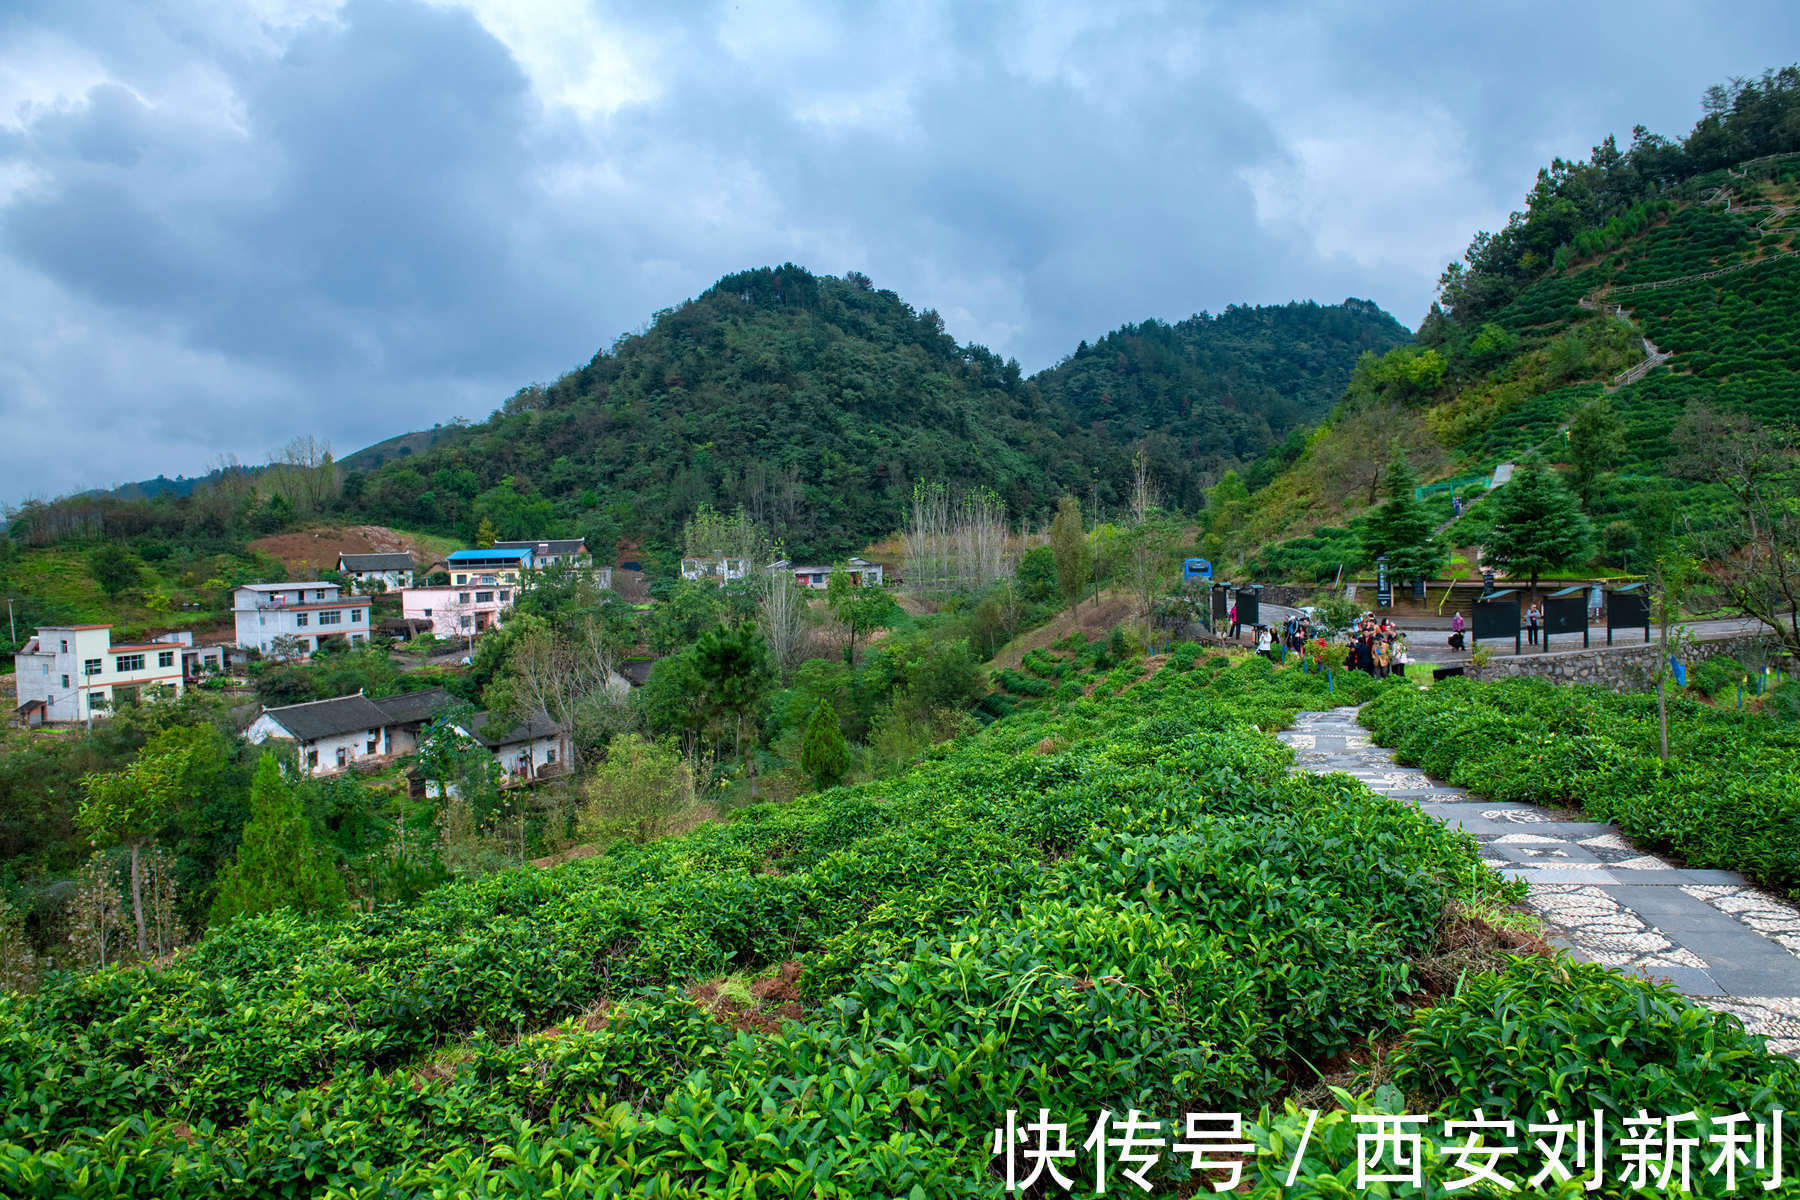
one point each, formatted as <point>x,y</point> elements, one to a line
<point>231,222</point>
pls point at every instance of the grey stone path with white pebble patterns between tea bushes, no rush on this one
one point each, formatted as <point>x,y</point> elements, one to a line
<point>1709,933</point>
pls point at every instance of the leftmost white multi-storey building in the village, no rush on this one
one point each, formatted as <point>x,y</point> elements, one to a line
<point>75,672</point>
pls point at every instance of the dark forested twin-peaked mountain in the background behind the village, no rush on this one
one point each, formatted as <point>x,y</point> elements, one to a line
<point>818,402</point>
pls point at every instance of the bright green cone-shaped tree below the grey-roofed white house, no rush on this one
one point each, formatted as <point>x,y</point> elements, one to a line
<point>278,864</point>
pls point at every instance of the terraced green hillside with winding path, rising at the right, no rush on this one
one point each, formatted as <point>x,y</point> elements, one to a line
<point>1657,278</point>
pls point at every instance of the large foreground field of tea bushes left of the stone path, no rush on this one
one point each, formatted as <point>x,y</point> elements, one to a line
<point>1106,900</point>
